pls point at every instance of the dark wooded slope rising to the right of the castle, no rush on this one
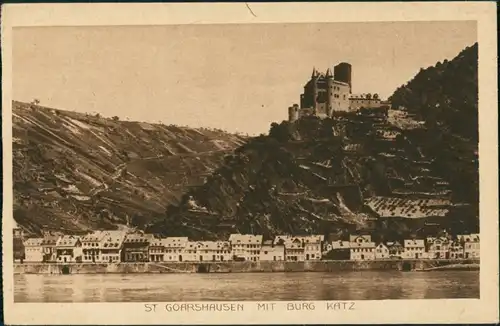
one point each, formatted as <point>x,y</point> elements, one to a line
<point>446,98</point>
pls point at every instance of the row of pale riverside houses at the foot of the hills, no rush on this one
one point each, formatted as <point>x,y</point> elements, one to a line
<point>122,246</point>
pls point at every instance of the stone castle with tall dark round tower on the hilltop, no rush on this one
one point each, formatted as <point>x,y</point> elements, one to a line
<point>326,93</point>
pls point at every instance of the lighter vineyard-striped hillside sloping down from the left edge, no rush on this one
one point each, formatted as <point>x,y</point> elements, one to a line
<point>74,172</point>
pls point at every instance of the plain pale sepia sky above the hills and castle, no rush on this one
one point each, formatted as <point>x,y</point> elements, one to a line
<point>239,78</point>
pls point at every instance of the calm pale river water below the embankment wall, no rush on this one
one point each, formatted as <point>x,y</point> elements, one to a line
<point>359,285</point>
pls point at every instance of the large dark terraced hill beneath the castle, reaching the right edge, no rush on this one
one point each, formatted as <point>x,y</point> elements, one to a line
<point>396,173</point>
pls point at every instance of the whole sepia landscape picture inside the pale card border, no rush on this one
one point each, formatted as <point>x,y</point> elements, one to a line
<point>212,164</point>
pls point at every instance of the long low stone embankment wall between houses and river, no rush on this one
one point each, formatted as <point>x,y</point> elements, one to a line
<point>242,267</point>
